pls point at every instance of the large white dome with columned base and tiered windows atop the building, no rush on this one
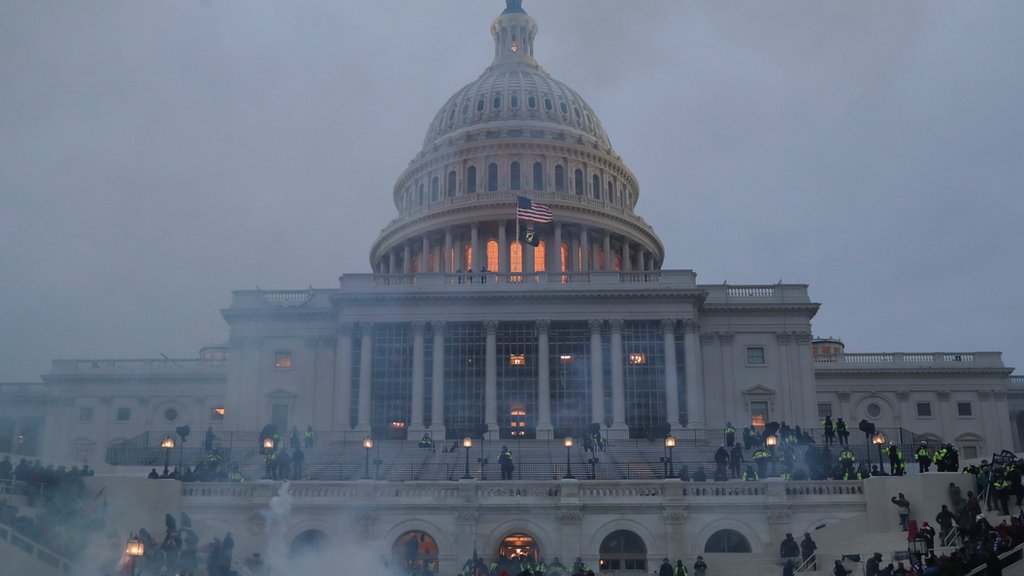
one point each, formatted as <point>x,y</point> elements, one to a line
<point>517,133</point>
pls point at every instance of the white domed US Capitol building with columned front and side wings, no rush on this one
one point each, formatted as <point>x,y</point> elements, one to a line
<point>464,330</point>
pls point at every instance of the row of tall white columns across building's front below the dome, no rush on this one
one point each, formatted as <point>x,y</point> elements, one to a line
<point>350,333</point>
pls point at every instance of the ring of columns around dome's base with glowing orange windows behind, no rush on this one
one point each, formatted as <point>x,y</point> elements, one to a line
<point>587,250</point>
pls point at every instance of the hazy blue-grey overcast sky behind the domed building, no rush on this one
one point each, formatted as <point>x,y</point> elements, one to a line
<point>157,155</point>
